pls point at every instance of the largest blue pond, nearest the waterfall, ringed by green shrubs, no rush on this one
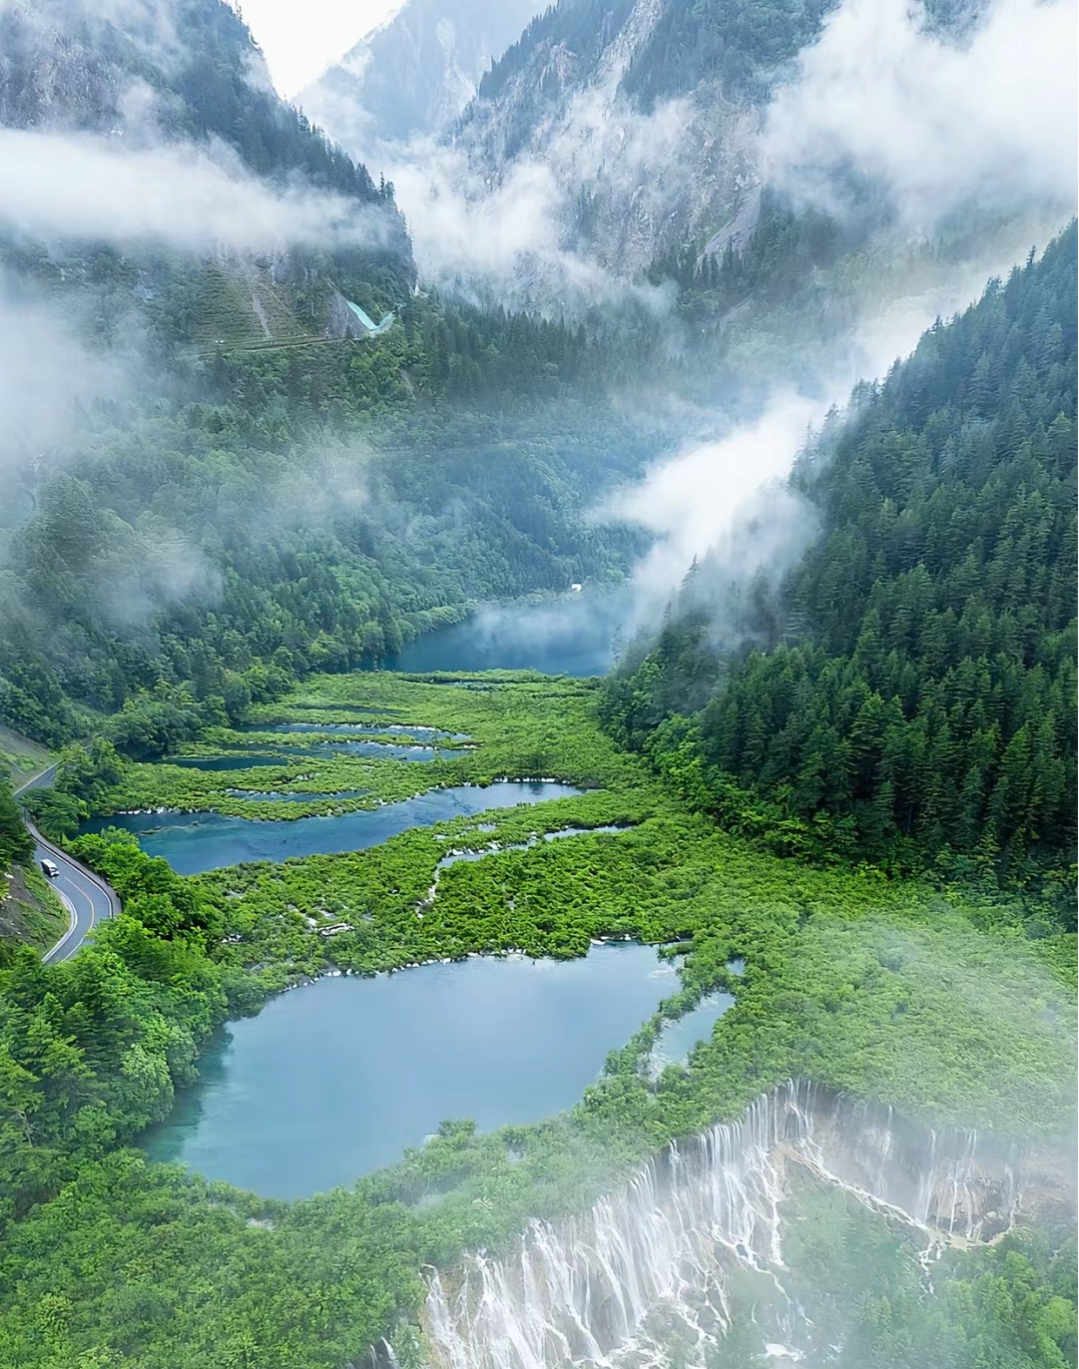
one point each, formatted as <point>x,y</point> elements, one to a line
<point>338,1078</point>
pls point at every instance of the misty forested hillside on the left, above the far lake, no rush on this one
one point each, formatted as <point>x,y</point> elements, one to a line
<point>292,518</point>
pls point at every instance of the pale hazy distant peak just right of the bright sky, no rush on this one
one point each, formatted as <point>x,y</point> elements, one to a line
<point>417,73</point>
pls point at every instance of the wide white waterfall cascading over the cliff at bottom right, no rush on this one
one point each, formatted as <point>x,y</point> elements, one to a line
<point>658,1257</point>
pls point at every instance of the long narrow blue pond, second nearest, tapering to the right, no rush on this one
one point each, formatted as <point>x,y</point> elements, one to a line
<point>196,843</point>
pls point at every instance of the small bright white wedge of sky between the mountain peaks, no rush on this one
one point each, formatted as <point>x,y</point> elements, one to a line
<point>302,38</point>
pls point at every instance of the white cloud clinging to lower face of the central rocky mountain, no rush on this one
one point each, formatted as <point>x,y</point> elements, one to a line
<point>509,228</point>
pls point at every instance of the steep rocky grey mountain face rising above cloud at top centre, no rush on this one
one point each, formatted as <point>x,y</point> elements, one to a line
<point>651,146</point>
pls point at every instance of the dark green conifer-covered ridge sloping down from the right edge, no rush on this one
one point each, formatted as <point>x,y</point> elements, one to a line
<point>919,704</point>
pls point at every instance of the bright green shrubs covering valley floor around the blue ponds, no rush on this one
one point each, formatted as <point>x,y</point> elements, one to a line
<point>943,1003</point>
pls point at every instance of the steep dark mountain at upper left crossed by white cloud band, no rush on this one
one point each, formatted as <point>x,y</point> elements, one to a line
<point>179,95</point>
